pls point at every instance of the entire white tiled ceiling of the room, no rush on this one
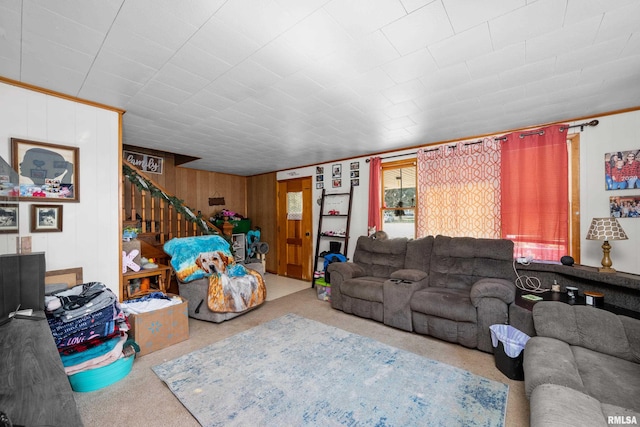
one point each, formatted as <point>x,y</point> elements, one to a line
<point>311,81</point>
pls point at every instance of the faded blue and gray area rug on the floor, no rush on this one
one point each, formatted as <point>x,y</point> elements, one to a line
<point>295,371</point>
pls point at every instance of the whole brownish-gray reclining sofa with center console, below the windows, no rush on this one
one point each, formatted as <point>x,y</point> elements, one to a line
<point>452,288</point>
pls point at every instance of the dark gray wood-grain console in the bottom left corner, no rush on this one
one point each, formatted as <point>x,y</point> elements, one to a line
<point>35,390</point>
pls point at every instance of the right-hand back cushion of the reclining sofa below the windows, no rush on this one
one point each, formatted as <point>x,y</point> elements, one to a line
<point>459,262</point>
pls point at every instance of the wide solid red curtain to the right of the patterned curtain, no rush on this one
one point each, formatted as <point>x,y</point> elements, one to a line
<point>535,192</point>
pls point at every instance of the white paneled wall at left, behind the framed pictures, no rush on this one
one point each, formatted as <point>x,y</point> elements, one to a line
<point>90,229</point>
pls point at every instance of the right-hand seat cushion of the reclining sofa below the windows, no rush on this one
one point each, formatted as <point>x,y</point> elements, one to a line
<point>453,304</point>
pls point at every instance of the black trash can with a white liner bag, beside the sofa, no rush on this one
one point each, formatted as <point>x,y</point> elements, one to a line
<point>508,344</point>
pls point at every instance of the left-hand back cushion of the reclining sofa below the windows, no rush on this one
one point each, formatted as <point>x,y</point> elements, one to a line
<point>379,258</point>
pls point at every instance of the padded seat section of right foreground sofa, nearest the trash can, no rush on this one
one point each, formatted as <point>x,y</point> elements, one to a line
<point>548,360</point>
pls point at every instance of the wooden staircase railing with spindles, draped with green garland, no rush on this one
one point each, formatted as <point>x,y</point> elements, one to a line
<point>158,215</point>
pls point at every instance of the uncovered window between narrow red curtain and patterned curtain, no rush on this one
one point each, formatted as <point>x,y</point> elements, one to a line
<point>399,198</point>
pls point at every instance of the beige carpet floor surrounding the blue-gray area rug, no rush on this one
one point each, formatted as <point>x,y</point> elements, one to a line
<point>142,399</point>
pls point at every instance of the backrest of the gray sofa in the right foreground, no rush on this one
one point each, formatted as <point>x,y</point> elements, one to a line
<point>586,326</point>
